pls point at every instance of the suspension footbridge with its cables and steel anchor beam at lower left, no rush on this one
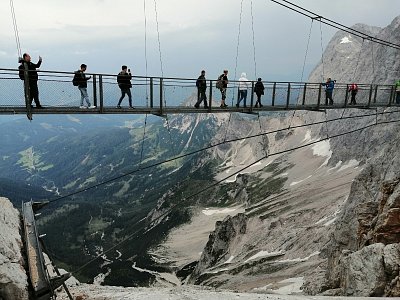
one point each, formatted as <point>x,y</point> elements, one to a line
<point>162,96</point>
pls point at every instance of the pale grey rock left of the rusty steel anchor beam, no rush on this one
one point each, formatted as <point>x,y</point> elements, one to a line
<point>13,279</point>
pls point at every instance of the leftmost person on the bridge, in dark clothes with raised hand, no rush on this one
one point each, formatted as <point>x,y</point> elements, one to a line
<point>33,77</point>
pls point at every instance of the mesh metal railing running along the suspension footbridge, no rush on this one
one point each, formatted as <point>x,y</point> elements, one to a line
<point>159,95</point>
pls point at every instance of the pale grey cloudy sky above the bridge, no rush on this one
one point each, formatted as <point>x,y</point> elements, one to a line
<point>193,35</point>
